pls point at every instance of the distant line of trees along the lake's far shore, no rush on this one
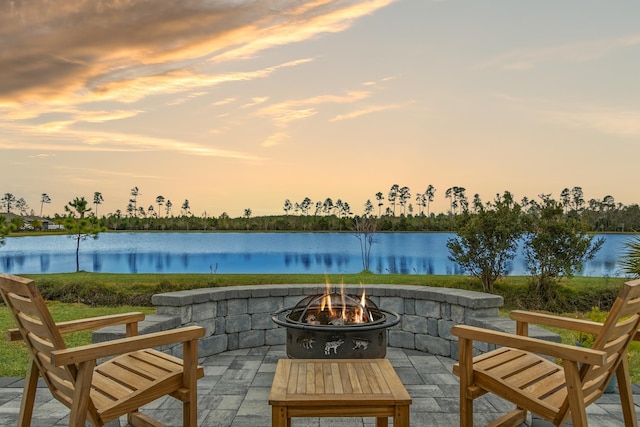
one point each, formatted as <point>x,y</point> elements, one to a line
<point>395,210</point>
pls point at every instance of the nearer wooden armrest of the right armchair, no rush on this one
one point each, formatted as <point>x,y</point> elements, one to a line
<point>534,345</point>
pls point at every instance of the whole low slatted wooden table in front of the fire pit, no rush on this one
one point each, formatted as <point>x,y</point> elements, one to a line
<point>338,388</point>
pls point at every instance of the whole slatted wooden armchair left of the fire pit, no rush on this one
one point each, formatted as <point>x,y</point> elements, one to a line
<point>135,375</point>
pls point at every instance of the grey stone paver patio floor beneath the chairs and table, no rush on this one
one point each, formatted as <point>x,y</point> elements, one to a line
<point>235,389</point>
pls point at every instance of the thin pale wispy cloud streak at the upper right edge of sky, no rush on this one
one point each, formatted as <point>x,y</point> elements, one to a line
<point>569,52</point>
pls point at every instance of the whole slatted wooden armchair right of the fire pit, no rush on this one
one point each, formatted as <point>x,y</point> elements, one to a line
<point>520,373</point>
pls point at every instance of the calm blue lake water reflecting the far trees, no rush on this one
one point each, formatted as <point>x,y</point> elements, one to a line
<point>406,253</point>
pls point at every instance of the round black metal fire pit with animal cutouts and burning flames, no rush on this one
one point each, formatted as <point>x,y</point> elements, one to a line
<point>336,325</point>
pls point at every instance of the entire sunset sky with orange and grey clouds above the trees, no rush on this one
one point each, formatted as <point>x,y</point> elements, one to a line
<point>238,104</point>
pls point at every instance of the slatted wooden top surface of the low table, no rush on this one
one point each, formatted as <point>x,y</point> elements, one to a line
<point>336,382</point>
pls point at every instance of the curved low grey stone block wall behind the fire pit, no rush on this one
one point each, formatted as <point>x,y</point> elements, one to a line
<point>240,316</point>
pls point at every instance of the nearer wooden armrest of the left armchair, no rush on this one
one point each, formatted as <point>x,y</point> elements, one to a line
<point>125,345</point>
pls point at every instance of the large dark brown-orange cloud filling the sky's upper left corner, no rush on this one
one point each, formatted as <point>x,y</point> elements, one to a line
<point>85,50</point>
